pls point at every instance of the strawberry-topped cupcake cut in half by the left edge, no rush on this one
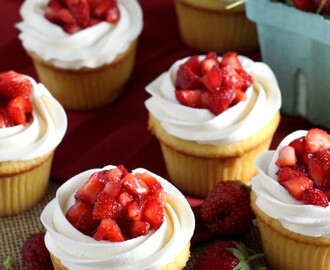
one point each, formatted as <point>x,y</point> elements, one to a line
<point>32,124</point>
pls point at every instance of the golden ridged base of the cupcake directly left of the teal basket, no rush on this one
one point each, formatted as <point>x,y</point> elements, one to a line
<point>196,168</point>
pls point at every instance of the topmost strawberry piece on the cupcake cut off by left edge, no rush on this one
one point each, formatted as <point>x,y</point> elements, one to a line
<point>13,84</point>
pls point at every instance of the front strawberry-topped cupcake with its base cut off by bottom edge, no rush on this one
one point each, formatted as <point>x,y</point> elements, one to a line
<point>135,220</point>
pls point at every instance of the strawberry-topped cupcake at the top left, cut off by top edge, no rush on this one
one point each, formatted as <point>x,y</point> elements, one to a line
<point>83,53</point>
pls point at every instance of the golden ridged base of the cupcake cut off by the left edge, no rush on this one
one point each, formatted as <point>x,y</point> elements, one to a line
<point>23,184</point>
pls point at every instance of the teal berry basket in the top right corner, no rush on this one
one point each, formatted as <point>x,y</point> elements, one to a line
<point>296,45</point>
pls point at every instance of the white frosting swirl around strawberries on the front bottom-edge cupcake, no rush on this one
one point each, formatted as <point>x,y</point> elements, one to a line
<point>152,251</point>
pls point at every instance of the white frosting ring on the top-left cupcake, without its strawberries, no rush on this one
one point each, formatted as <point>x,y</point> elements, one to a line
<point>91,47</point>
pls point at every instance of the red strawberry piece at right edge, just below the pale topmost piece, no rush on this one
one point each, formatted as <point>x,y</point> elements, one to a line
<point>319,168</point>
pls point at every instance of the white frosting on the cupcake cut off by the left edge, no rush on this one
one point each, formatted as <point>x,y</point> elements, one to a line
<point>41,135</point>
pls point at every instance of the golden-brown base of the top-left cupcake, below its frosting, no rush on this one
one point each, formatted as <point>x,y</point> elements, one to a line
<point>87,88</point>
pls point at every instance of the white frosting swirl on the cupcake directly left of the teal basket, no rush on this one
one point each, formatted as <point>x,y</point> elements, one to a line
<point>200,125</point>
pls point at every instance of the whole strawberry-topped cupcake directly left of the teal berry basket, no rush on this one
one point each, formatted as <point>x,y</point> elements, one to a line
<point>219,140</point>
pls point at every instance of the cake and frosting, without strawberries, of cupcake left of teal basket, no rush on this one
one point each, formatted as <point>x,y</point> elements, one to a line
<point>200,148</point>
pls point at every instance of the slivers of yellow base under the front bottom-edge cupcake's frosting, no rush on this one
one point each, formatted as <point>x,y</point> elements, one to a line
<point>178,263</point>
